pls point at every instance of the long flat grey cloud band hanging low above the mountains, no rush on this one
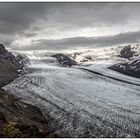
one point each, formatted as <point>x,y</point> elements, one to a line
<point>129,37</point>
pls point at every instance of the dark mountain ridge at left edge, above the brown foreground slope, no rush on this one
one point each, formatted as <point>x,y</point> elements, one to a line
<point>10,66</point>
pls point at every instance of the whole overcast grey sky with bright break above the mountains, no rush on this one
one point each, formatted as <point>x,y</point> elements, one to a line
<point>62,25</point>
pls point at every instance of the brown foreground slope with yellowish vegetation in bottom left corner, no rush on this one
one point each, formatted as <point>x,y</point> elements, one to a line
<point>18,119</point>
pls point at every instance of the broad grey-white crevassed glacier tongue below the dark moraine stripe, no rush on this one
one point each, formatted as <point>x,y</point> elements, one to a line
<point>78,103</point>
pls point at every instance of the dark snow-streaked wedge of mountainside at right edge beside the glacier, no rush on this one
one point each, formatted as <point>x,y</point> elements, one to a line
<point>130,68</point>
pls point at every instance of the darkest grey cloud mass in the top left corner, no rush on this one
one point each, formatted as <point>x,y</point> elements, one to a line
<point>19,16</point>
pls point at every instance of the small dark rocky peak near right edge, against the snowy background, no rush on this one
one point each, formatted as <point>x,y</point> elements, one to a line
<point>127,52</point>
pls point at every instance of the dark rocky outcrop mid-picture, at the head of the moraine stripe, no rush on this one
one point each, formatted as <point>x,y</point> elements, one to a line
<point>65,60</point>
